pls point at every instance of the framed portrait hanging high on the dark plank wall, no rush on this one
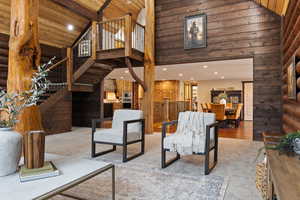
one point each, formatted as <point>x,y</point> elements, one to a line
<point>195,31</point>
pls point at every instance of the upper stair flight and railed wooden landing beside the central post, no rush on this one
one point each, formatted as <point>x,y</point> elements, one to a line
<point>109,48</point>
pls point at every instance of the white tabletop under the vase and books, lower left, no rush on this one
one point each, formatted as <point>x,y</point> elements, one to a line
<point>71,169</point>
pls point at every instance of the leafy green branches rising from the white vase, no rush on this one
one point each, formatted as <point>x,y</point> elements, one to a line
<point>13,103</point>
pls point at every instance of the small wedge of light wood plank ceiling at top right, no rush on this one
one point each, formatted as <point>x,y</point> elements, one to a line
<point>277,6</point>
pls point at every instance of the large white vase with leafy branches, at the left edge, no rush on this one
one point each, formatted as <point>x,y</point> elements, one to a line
<point>11,104</point>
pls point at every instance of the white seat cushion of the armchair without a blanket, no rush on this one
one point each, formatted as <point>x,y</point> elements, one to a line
<point>115,135</point>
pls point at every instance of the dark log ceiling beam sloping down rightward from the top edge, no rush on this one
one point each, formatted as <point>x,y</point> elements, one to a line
<point>78,9</point>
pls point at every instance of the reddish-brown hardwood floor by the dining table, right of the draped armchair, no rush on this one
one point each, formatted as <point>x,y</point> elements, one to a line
<point>245,131</point>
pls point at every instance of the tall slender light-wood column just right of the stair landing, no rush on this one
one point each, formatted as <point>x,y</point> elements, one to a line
<point>149,68</point>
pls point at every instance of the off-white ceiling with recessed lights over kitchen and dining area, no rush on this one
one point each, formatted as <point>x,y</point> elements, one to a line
<point>241,69</point>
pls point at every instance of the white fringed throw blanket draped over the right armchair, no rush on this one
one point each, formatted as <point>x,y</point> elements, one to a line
<point>189,136</point>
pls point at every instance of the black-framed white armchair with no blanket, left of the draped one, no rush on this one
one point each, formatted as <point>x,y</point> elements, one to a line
<point>128,127</point>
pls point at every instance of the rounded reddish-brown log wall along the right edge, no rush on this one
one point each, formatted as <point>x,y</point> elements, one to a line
<point>290,44</point>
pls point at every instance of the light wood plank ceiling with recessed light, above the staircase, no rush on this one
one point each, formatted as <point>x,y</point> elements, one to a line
<point>54,18</point>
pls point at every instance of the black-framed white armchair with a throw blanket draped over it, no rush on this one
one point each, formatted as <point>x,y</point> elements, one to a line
<point>200,138</point>
